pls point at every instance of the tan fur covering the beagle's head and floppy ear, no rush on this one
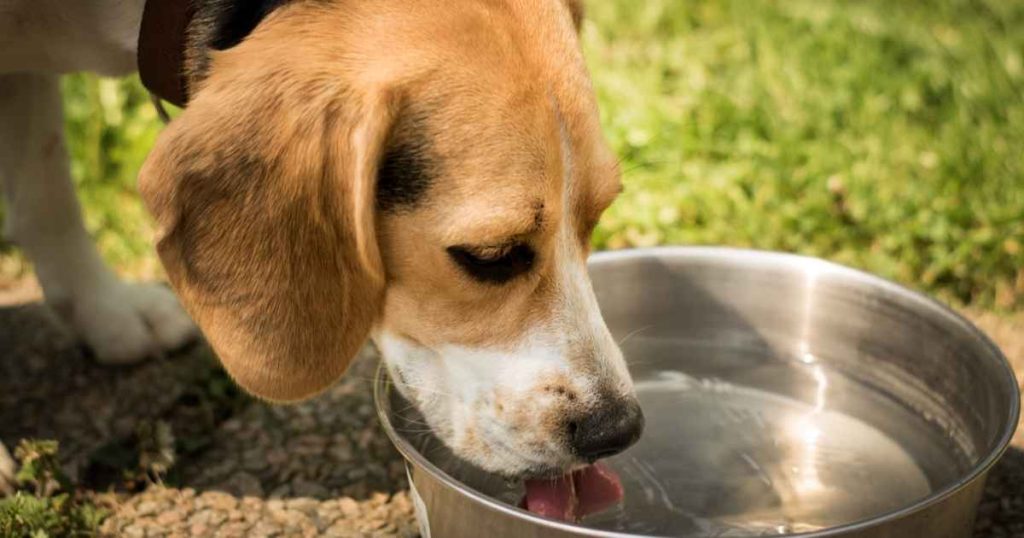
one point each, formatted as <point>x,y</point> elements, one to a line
<point>264,189</point>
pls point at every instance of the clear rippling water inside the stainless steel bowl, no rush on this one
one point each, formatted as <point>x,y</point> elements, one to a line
<point>739,444</point>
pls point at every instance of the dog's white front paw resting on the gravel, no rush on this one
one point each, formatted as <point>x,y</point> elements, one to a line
<point>125,323</point>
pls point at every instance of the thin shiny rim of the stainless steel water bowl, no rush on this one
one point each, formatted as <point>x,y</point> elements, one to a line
<point>382,388</point>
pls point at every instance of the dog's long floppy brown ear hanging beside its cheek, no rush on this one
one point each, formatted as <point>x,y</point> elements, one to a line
<point>264,194</point>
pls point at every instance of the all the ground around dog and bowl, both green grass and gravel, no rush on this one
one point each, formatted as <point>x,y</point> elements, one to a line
<point>884,136</point>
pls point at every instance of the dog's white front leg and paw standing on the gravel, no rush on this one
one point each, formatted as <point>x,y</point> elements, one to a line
<point>121,323</point>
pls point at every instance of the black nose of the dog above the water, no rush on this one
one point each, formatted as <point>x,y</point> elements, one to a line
<point>607,431</point>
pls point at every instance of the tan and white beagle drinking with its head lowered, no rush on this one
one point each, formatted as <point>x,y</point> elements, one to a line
<point>422,175</point>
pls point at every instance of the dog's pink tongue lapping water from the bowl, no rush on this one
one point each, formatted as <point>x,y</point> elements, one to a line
<point>572,496</point>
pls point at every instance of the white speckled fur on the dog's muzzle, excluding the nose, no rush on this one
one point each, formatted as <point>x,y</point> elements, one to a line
<point>458,389</point>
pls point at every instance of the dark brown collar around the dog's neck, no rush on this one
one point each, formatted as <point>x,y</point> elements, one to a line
<point>162,49</point>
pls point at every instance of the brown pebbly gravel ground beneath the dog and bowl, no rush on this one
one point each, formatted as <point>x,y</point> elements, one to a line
<point>248,469</point>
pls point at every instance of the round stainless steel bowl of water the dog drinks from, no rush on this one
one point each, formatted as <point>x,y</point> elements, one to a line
<point>784,395</point>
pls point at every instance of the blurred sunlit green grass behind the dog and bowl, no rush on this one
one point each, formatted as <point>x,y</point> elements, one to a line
<point>885,136</point>
